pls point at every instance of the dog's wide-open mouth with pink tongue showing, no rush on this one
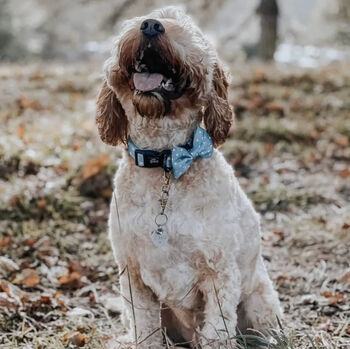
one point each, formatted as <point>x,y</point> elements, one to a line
<point>152,74</point>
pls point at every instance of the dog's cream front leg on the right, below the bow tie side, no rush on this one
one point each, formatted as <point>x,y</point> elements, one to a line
<point>221,293</point>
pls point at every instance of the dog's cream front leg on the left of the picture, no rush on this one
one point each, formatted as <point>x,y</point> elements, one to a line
<point>142,312</point>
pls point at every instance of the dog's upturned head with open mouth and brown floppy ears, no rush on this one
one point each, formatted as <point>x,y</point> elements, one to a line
<point>162,67</point>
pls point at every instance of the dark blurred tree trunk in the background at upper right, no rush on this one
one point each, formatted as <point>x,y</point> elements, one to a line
<point>268,12</point>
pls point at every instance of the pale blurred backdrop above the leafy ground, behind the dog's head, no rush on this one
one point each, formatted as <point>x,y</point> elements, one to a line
<point>310,33</point>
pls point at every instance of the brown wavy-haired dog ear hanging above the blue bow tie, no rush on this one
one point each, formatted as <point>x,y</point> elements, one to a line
<point>218,113</point>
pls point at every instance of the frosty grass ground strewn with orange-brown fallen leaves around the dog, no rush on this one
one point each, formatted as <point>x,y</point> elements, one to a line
<point>289,147</point>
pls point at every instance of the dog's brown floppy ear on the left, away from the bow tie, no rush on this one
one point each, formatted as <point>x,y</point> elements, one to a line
<point>111,120</point>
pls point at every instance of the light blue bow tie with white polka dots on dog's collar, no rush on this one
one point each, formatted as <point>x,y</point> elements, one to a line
<point>182,158</point>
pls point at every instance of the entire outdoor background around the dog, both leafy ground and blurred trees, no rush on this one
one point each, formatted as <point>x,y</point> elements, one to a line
<point>290,67</point>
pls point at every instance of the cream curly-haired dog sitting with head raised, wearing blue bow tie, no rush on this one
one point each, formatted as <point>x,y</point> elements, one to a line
<point>187,242</point>
